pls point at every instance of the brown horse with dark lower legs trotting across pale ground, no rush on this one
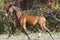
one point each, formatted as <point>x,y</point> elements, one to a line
<point>24,19</point>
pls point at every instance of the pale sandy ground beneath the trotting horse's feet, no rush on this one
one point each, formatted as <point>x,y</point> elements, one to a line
<point>33,36</point>
